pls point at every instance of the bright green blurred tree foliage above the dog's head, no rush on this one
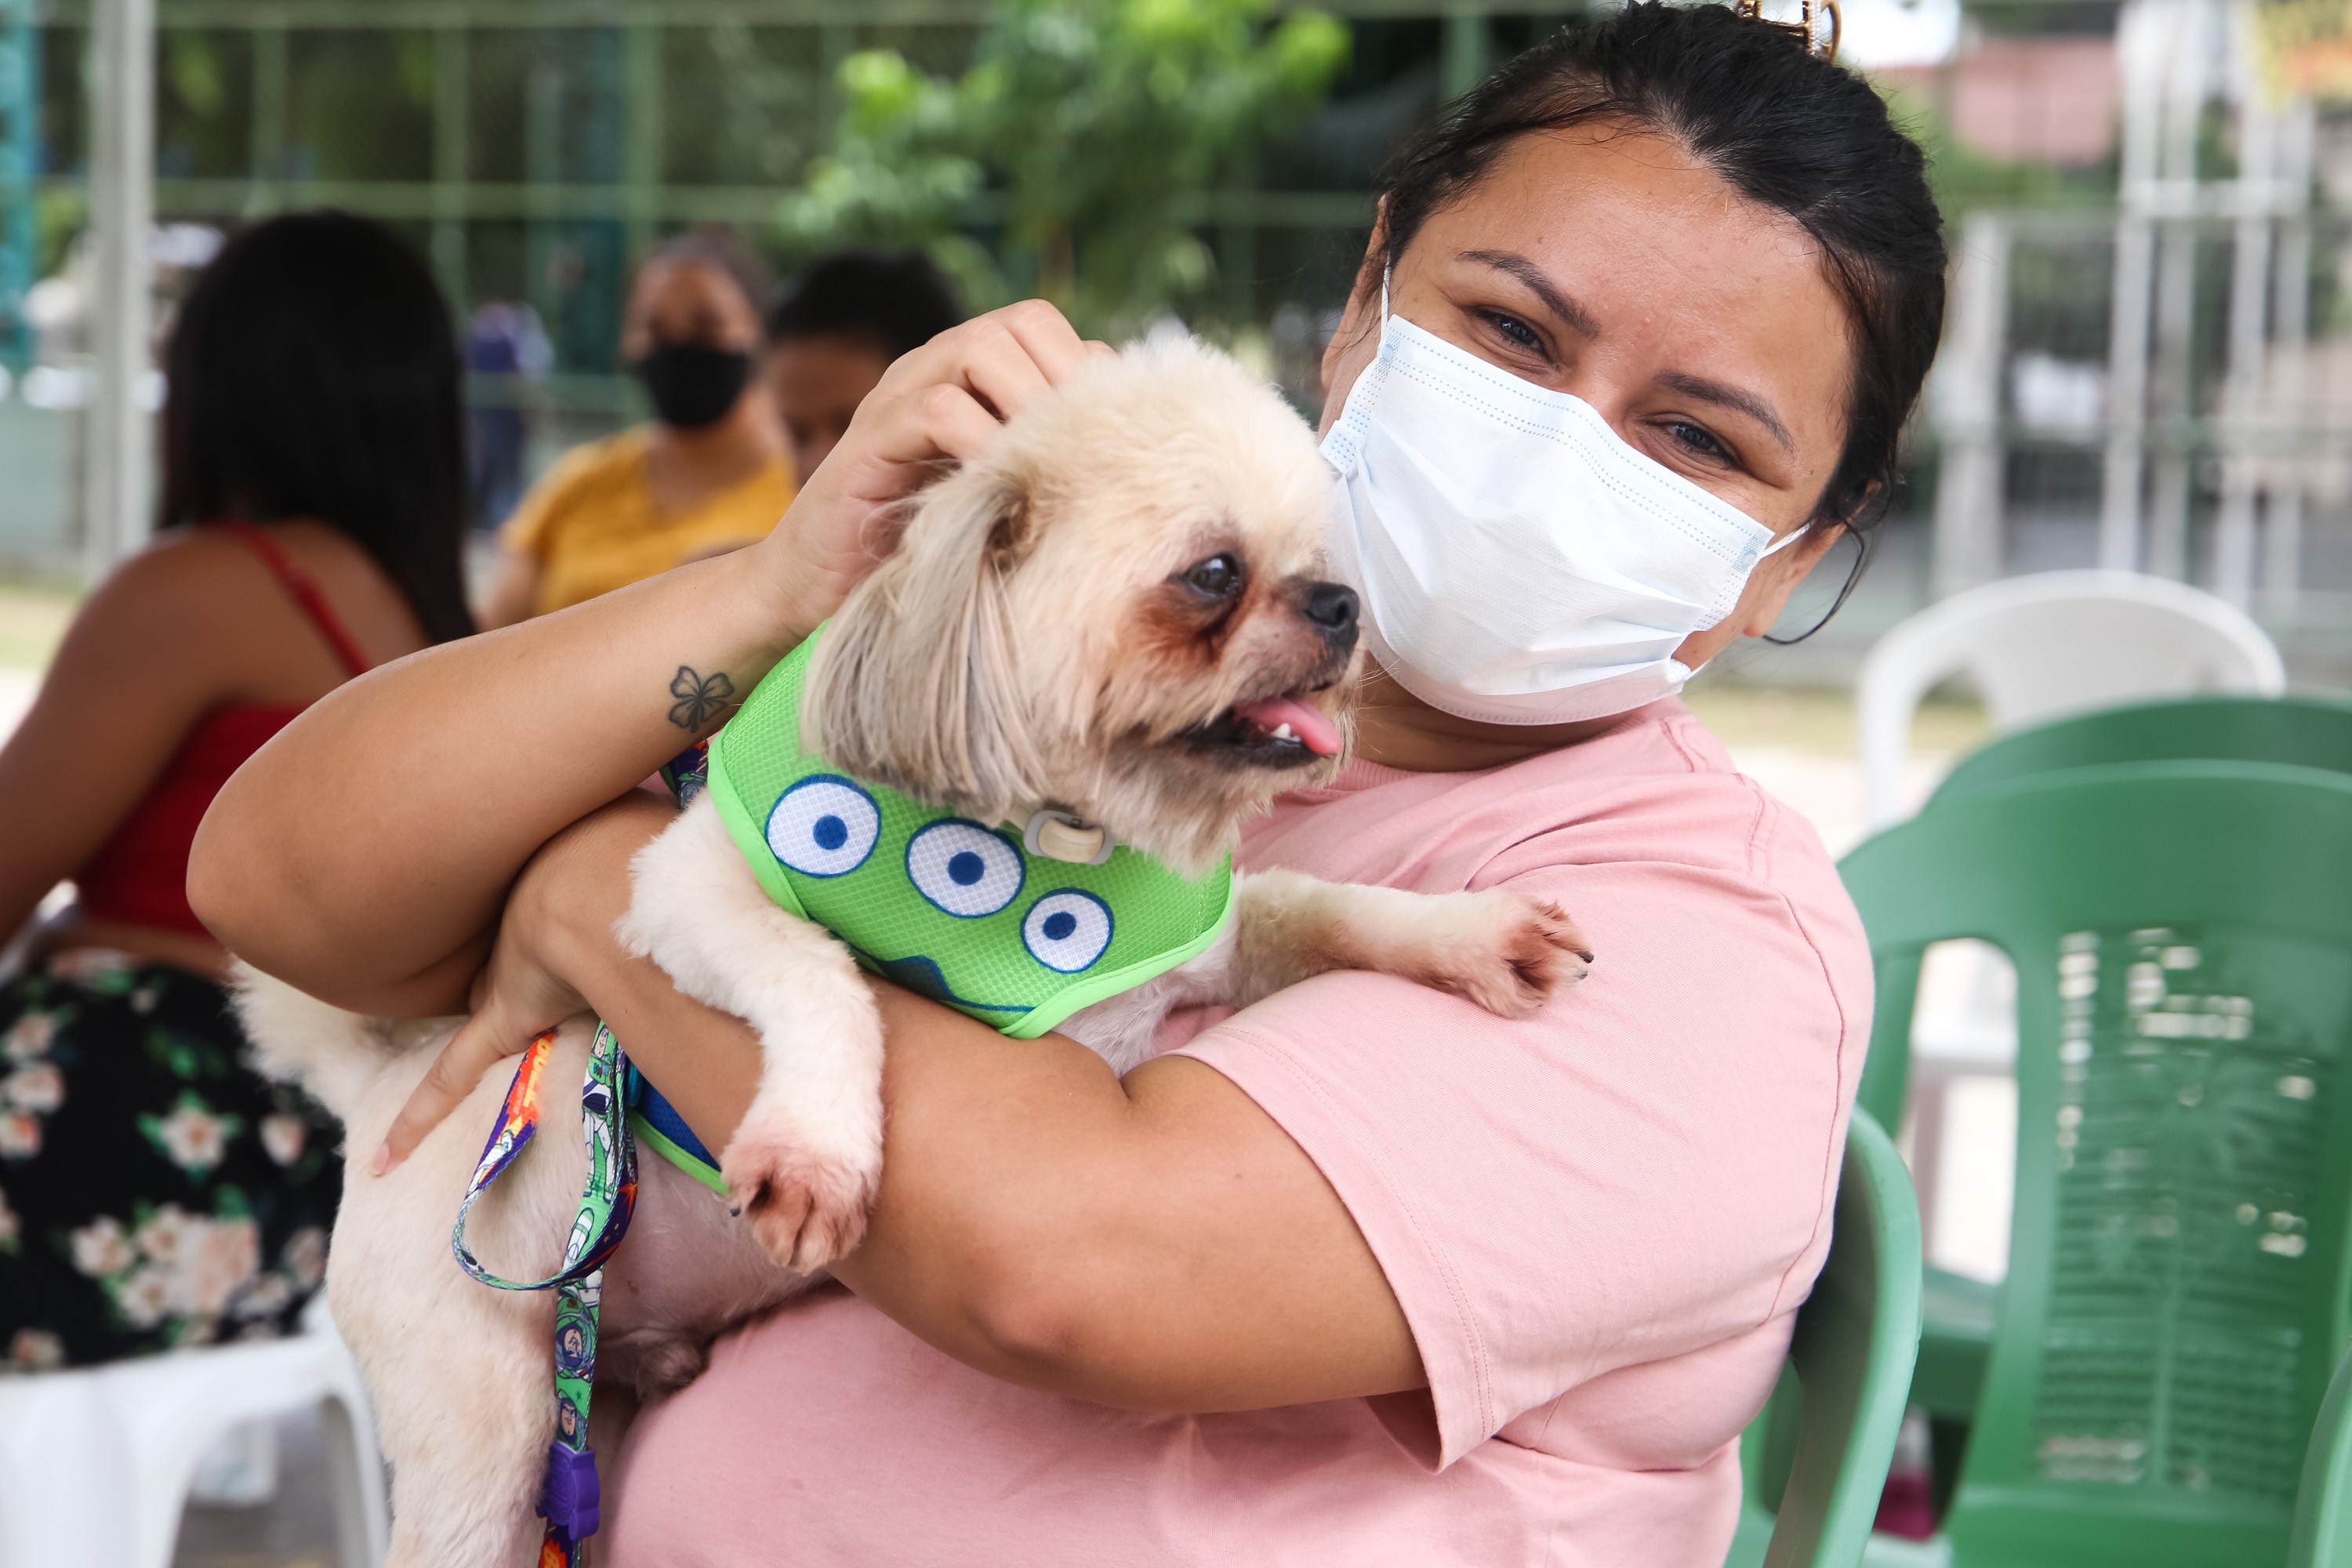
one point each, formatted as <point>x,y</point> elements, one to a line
<point>1083,140</point>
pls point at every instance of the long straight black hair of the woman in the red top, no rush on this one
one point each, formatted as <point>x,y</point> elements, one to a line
<point>314,375</point>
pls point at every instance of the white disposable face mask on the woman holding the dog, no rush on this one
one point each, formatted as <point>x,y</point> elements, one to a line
<point>1521,563</point>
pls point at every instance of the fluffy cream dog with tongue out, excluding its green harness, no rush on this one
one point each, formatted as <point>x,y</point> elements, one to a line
<point>1116,617</point>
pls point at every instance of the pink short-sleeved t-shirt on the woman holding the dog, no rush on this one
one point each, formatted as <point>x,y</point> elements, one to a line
<point>1601,1224</point>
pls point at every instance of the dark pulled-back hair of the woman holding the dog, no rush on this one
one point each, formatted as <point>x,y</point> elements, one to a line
<point>1779,126</point>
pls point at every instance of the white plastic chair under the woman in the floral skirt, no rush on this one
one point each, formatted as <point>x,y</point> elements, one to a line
<point>95,1466</point>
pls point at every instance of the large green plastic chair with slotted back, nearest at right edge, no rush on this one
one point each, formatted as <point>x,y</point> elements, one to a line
<point>2174,1299</point>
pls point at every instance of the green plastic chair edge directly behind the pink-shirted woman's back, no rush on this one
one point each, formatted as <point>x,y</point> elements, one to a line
<point>1817,1459</point>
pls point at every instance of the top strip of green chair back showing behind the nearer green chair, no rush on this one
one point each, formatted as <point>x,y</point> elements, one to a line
<point>2292,730</point>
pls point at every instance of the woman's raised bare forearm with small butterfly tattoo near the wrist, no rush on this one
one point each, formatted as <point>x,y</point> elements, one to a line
<point>363,855</point>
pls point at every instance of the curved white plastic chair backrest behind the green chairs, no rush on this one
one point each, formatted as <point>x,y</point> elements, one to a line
<point>2050,645</point>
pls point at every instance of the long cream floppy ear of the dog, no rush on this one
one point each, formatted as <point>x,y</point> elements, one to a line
<point>914,683</point>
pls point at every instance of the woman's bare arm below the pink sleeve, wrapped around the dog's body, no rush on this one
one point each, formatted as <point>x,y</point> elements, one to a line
<point>1156,1242</point>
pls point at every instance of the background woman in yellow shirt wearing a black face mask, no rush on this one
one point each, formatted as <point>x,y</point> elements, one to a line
<point>707,476</point>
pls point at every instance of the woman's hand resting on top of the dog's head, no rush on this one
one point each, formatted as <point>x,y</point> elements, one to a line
<point>935,408</point>
